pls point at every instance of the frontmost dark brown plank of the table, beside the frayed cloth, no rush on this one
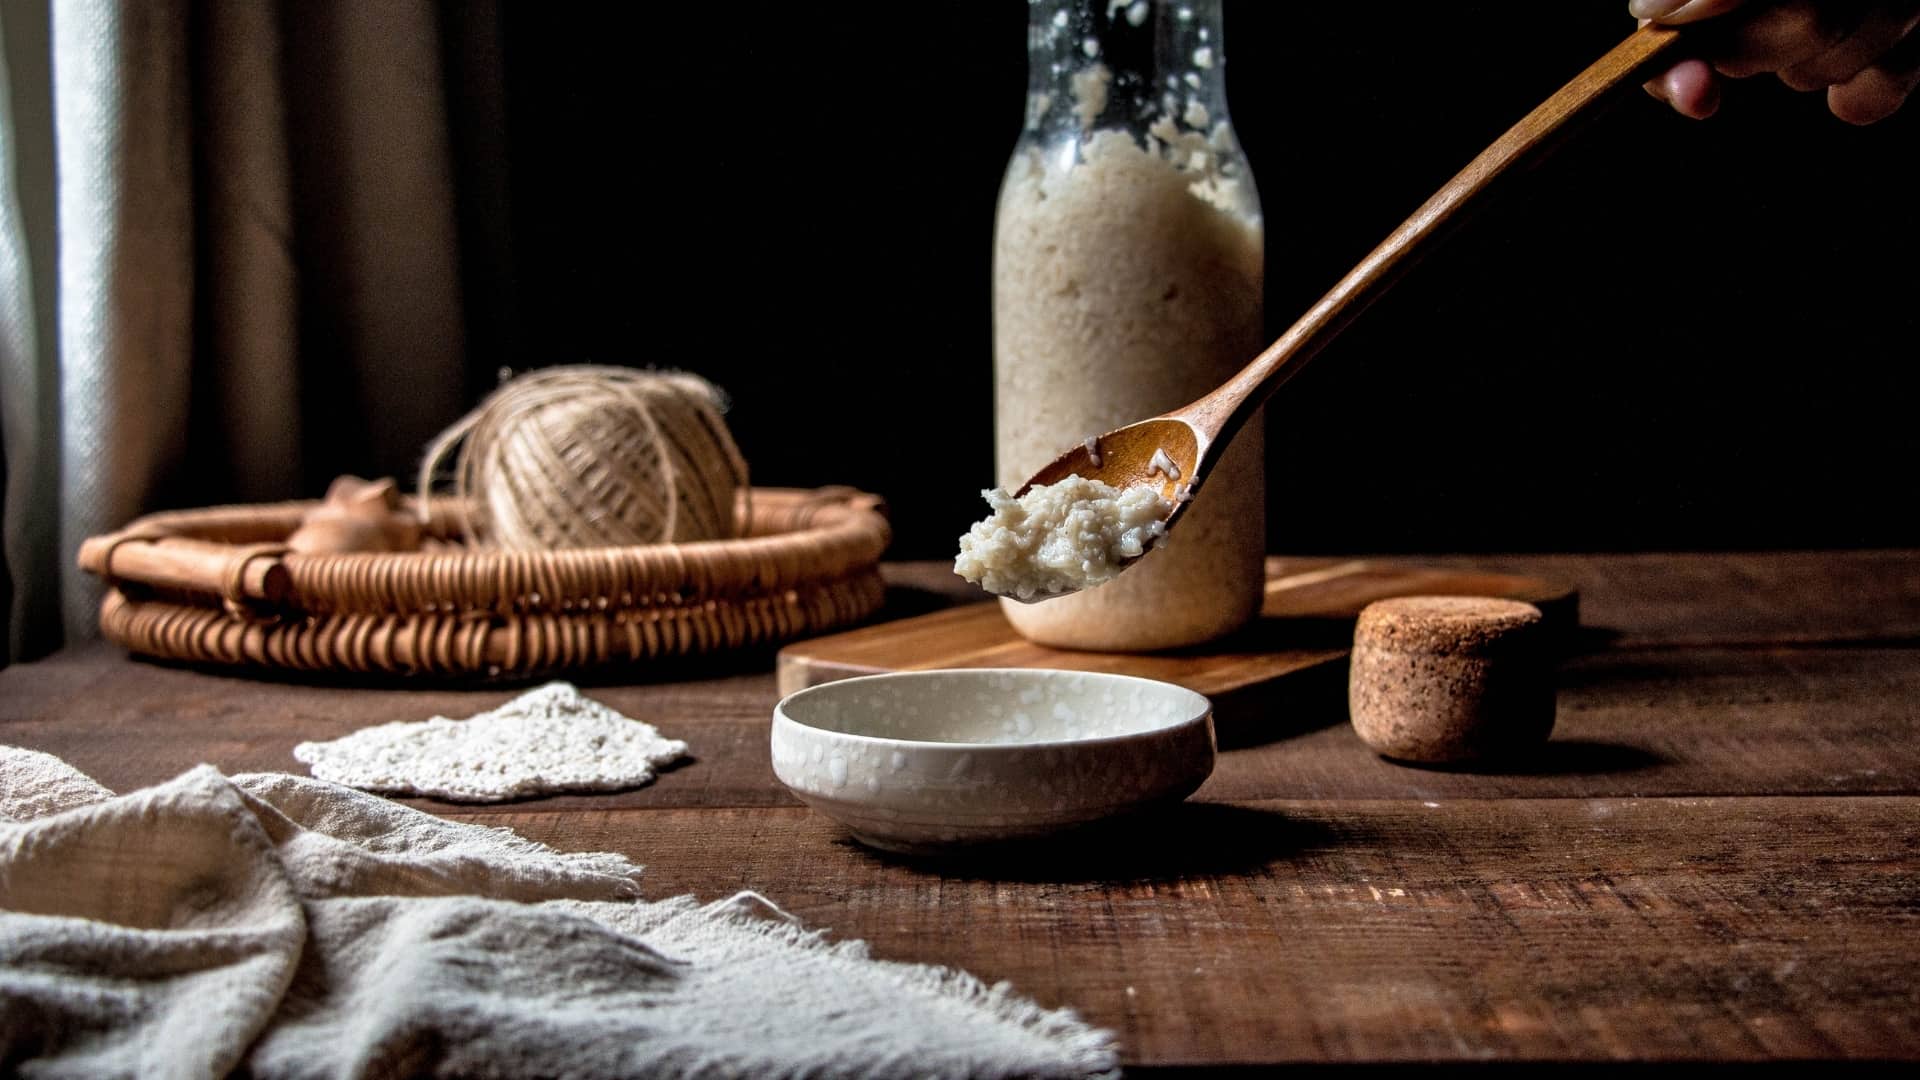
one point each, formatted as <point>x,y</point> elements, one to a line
<point>1397,931</point>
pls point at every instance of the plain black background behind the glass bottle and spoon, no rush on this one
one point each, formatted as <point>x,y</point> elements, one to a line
<point>1675,335</point>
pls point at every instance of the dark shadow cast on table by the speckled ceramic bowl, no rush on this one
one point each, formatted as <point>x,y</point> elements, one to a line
<point>1172,843</point>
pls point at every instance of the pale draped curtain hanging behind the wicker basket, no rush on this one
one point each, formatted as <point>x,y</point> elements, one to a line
<point>228,243</point>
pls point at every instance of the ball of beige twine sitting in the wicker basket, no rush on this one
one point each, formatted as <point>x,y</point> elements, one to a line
<point>592,456</point>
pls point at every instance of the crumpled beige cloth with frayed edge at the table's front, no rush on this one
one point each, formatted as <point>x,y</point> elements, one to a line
<point>300,929</point>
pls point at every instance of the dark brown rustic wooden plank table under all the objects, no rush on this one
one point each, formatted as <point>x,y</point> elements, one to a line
<point>1717,860</point>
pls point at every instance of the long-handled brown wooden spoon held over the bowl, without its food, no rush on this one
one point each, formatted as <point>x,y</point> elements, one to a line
<point>1195,437</point>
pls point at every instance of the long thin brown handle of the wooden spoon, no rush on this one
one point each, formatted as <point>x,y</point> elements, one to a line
<point>1222,412</point>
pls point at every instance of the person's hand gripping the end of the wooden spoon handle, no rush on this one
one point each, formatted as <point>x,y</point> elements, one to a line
<point>1863,53</point>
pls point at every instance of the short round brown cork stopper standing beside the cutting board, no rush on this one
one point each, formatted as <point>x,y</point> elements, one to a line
<point>1443,679</point>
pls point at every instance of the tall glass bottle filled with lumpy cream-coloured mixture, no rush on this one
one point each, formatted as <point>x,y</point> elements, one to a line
<point>1128,282</point>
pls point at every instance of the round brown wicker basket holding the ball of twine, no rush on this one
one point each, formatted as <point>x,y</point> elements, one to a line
<point>220,587</point>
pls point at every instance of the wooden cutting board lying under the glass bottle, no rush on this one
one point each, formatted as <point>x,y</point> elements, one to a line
<point>1305,631</point>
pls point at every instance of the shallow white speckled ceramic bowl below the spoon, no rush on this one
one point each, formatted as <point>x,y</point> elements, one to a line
<point>928,762</point>
